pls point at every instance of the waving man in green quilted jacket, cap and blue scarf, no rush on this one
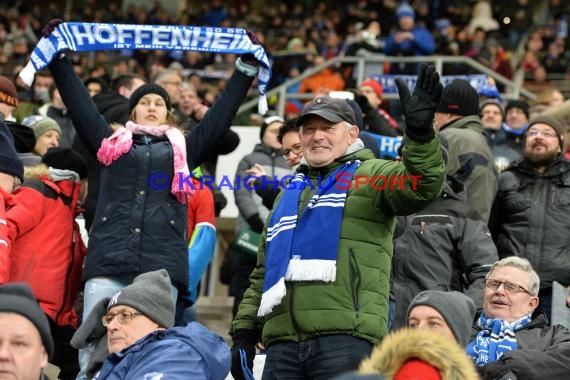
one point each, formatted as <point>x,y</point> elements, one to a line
<point>319,292</point>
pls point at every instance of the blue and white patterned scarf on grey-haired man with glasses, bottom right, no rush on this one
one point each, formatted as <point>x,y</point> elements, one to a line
<point>496,337</point>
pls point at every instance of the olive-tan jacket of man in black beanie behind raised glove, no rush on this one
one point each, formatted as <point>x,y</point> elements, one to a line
<point>471,162</point>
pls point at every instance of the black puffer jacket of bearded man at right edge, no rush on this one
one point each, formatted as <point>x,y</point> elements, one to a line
<point>531,219</point>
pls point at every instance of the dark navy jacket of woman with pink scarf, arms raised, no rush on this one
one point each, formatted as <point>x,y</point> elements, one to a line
<point>137,228</point>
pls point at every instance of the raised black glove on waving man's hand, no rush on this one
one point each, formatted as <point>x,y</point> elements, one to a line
<point>419,107</point>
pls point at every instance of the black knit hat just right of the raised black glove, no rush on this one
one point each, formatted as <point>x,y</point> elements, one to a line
<point>459,98</point>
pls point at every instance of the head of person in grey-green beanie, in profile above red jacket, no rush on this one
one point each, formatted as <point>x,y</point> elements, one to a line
<point>47,133</point>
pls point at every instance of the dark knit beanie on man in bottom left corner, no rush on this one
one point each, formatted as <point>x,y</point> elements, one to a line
<point>18,298</point>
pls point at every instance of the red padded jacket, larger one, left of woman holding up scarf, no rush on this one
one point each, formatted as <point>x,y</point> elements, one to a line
<point>47,249</point>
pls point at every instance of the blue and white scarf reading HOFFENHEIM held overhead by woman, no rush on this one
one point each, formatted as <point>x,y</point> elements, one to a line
<point>83,36</point>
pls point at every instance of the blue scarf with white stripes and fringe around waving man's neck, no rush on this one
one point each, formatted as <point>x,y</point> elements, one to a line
<point>304,248</point>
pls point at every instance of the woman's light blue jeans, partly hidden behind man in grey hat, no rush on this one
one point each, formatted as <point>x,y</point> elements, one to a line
<point>95,290</point>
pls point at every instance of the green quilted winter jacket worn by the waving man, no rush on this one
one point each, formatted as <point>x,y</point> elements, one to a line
<point>357,302</point>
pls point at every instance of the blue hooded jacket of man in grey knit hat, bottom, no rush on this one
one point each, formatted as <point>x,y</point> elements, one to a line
<point>178,353</point>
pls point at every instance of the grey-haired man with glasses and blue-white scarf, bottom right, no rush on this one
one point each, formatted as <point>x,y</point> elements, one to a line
<point>512,339</point>
